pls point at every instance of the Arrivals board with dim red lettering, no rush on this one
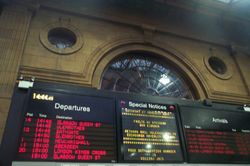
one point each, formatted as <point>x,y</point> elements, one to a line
<point>215,136</point>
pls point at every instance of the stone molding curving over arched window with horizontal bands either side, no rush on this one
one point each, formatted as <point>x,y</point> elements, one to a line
<point>106,52</point>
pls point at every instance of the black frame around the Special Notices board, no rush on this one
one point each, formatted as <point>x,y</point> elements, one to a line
<point>147,99</point>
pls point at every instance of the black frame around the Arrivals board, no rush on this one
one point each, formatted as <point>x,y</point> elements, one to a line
<point>184,134</point>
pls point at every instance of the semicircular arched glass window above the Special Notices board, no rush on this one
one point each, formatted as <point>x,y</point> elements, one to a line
<point>145,74</point>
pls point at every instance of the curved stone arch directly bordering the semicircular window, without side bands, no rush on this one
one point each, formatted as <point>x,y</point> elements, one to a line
<point>103,57</point>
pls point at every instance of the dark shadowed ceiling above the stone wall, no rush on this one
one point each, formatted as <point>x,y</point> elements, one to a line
<point>210,20</point>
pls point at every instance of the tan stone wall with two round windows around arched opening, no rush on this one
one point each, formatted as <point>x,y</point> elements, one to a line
<point>106,32</point>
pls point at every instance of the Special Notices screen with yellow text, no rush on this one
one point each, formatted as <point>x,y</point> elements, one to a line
<point>149,132</point>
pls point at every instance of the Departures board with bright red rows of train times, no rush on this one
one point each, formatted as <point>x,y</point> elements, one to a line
<point>66,127</point>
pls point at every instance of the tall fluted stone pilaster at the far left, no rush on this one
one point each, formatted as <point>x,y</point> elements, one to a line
<point>14,25</point>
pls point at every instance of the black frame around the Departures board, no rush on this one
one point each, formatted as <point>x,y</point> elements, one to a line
<point>9,148</point>
